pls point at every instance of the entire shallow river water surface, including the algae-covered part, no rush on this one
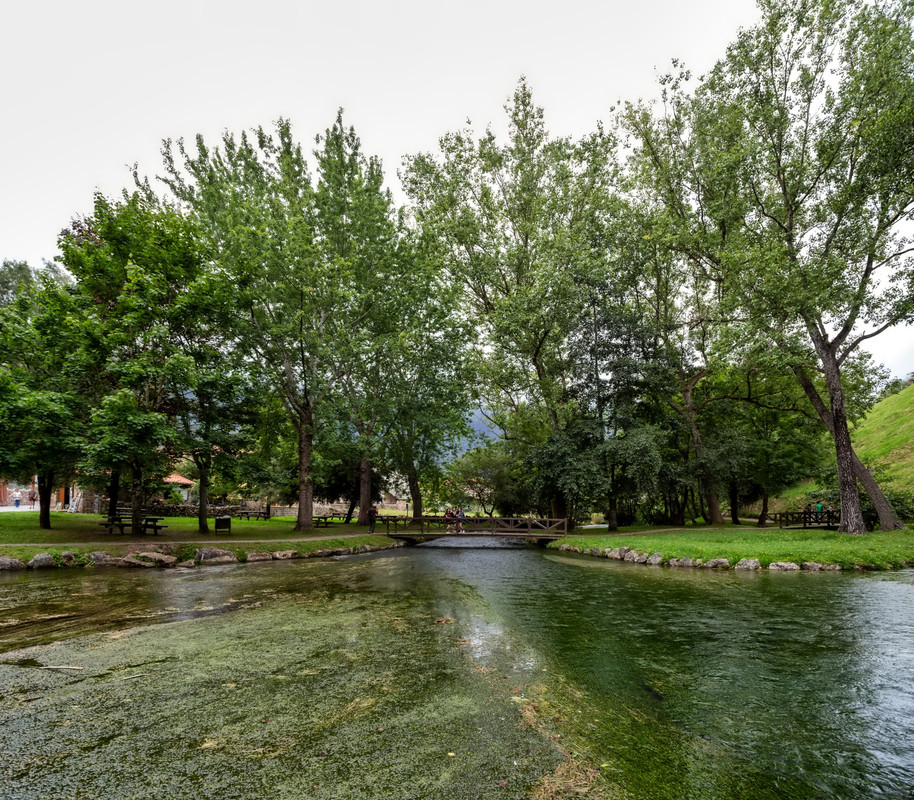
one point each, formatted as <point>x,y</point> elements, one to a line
<point>413,674</point>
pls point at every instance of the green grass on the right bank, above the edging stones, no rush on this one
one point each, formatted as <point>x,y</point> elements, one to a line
<point>882,550</point>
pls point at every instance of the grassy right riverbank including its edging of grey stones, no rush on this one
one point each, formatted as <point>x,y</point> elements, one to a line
<point>741,547</point>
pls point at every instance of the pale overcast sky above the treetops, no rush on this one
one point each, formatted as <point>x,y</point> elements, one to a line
<point>89,88</point>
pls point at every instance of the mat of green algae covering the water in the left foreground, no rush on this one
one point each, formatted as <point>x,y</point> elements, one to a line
<point>328,694</point>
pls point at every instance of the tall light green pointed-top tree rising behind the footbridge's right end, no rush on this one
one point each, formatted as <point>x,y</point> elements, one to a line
<point>519,227</point>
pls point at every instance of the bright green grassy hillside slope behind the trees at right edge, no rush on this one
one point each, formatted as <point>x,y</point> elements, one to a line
<point>886,438</point>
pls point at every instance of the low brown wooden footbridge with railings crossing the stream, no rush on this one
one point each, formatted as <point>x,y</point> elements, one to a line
<point>426,528</point>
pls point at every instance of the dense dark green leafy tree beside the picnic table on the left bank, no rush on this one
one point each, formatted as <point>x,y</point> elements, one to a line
<point>134,263</point>
